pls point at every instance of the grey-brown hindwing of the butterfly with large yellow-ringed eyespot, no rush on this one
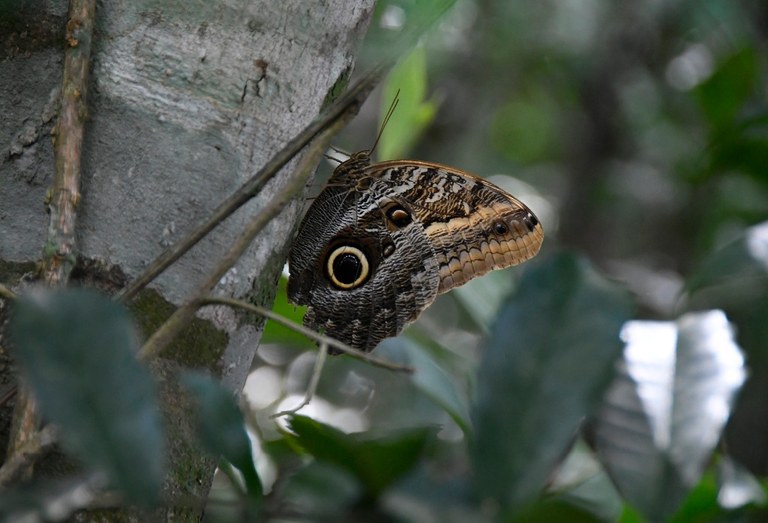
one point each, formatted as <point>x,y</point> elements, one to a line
<point>363,274</point>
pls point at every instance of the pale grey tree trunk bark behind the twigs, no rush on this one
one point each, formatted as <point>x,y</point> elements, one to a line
<point>187,100</point>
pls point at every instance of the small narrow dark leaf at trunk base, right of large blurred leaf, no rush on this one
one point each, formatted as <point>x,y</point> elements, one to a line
<point>221,427</point>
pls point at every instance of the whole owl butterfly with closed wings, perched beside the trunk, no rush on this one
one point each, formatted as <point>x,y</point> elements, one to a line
<point>382,240</point>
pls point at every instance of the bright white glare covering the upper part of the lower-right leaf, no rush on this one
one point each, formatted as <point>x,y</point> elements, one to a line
<point>656,353</point>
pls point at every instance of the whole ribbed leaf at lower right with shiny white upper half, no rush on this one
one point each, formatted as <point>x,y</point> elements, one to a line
<point>667,408</point>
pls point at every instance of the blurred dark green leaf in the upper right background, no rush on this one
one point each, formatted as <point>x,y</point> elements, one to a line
<point>724,93</point>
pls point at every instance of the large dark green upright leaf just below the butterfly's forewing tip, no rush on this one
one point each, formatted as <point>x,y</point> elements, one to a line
<point>550,357</point>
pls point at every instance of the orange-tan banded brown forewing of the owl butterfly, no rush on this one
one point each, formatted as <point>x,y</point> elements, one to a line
<point>473,226</point>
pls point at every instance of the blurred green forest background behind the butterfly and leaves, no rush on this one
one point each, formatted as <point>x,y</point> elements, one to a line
<point>637,132</point>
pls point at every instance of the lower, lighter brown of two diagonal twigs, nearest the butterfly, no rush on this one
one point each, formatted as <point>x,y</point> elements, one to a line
<point>185,313</point>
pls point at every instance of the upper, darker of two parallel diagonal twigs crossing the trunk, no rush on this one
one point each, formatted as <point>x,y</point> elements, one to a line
<point>348,104</point>
